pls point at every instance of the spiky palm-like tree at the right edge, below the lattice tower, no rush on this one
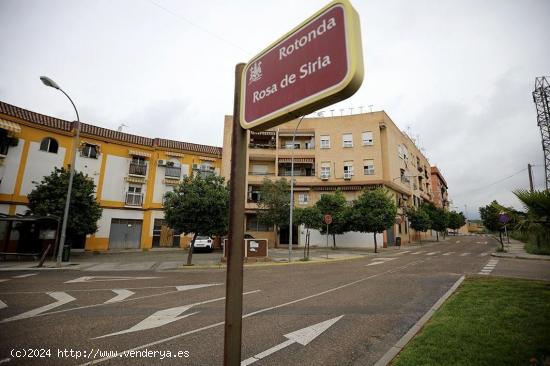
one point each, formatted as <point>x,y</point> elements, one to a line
<point>537,220</point>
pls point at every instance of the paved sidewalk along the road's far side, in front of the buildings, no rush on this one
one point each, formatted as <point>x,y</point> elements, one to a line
<point>175,258</point>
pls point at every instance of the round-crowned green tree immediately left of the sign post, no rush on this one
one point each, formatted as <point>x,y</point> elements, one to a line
<point>198,205</point>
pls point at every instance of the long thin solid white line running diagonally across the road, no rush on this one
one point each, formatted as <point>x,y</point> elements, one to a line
<point>214,325</point>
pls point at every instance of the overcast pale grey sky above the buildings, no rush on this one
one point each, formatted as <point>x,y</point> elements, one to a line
<point>456,75</point>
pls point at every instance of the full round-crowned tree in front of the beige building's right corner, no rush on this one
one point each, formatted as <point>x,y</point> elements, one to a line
<point>373,212</point>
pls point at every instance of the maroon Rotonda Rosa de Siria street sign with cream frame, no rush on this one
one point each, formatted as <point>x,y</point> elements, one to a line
<point>318,63</point>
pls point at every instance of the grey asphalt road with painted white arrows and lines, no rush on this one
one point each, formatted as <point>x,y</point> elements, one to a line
<point>362,307</point>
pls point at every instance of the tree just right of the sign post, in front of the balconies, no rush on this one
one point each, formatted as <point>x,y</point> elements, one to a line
<point>274,203</point>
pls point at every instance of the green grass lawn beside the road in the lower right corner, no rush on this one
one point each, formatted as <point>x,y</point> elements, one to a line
<point>488,321</point>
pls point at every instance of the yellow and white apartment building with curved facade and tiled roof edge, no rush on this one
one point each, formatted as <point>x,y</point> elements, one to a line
<point>131,173</point>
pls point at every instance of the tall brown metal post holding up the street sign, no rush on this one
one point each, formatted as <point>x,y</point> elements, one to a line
<point>234,277</point>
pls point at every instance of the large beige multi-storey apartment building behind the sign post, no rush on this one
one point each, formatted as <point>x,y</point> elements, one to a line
<point>350,153</point>
